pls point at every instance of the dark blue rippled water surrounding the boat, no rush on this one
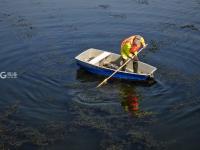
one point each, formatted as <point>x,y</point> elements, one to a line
<point>52,104</point>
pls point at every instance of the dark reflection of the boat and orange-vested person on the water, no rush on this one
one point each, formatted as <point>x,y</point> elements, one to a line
<point>130,99</point>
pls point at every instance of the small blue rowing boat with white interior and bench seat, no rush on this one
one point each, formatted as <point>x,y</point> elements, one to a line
<point>105,63</point>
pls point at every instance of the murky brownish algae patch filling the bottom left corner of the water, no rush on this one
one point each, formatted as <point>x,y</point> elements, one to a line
<point>15,134</point>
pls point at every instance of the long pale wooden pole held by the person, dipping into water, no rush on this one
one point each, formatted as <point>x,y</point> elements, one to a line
<point>105,80</point>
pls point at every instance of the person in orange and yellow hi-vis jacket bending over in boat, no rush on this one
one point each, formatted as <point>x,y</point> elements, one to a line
<point>129,48</point>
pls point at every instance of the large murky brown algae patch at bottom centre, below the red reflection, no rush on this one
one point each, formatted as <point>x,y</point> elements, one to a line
<point>116,132</point>
